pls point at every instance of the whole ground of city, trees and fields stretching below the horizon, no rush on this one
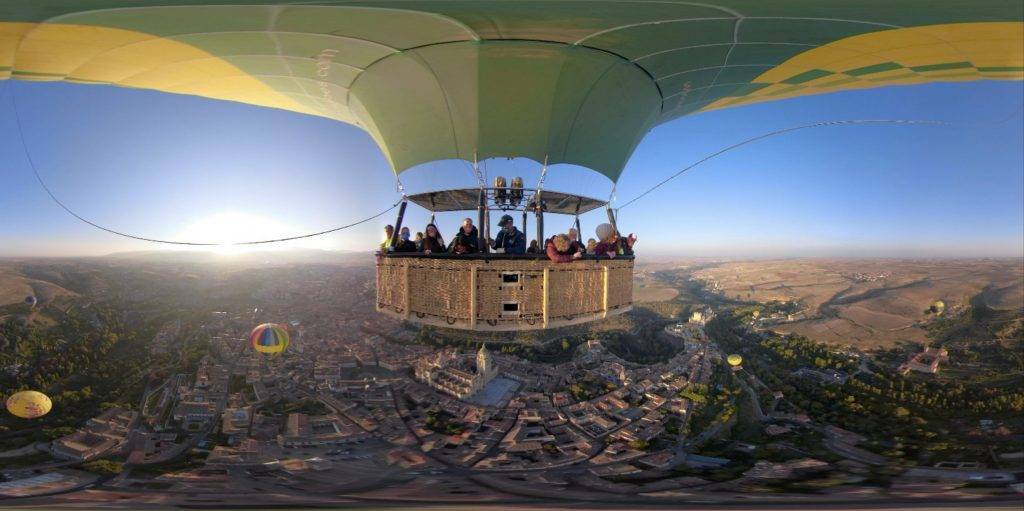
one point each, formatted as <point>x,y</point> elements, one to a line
<point>715,391</point>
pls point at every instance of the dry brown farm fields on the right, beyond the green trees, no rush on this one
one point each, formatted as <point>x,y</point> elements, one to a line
<point>868,304</point>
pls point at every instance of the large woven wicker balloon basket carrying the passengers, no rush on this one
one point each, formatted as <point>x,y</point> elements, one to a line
<point>502,294</point>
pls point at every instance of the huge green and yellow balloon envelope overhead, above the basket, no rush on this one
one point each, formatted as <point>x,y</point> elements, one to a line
<point>562,82</point>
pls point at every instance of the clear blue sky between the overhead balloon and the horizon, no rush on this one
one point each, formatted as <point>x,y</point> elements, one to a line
<point>155,164</point>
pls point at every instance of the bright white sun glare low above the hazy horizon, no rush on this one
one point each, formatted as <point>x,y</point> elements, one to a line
<point>232,228</point>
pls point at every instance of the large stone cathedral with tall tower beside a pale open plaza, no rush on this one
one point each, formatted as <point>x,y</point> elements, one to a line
<point>454,375</point>
